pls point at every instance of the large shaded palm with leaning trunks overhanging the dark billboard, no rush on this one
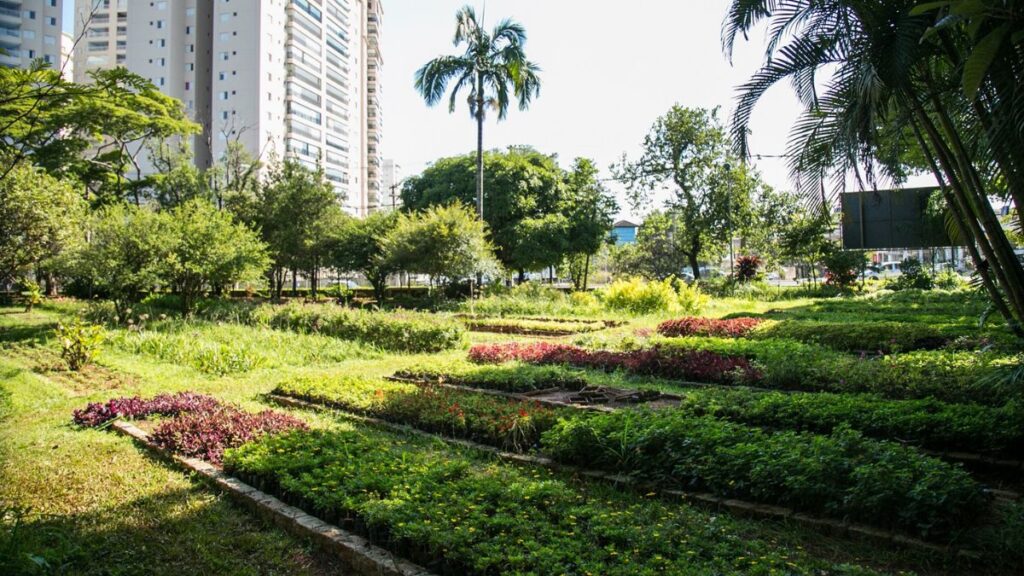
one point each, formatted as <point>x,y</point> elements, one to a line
<point>877,77</point>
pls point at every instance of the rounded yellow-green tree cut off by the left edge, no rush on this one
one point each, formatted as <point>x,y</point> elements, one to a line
<point>40,217</point>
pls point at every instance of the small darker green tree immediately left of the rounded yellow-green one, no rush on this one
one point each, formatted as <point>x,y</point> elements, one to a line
<point>360,246</point>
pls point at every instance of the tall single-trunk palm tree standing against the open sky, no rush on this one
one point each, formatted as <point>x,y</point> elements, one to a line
<point>493,66</point>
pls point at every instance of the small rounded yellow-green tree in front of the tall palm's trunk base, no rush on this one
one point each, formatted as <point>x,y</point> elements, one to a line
<point>445,242</point>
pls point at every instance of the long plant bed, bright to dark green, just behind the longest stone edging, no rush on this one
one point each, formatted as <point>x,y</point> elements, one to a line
<point>842,475</point>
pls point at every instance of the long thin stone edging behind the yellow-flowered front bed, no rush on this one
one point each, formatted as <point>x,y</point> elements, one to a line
<point>704,500</point>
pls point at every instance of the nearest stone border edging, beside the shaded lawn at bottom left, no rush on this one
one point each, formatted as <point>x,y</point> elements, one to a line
<point>356,552</point>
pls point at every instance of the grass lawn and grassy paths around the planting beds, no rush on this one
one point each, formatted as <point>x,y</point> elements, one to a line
<point>89,502</point>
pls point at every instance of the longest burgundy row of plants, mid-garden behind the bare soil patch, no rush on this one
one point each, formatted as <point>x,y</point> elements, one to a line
<point>701,366</point>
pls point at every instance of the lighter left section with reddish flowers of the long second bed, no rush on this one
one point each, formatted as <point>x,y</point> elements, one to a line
<point>497,422</point>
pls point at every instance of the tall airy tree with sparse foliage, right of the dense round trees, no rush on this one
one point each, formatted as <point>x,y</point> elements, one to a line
<point>690,149</point>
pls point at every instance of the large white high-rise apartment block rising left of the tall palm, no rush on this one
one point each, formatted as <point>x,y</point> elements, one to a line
<point>285,78</point>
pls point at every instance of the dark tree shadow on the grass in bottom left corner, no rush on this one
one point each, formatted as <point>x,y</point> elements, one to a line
<point>184,531</point>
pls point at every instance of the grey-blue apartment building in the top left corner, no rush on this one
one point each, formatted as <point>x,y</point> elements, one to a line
<point>30,30</point>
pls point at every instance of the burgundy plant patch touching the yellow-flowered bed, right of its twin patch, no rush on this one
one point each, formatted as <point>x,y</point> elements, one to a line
<point>206,434</point>
